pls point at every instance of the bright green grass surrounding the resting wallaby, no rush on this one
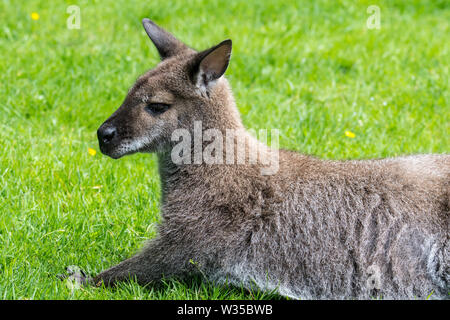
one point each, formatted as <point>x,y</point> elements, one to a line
<point>309,68</point>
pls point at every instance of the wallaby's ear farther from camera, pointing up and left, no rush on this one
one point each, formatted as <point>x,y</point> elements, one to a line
<point>165,42</point>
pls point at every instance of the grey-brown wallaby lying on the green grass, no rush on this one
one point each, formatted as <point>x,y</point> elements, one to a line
<point>314,229</point>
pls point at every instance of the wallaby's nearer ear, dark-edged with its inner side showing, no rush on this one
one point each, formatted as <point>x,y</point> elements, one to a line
<point>211,64</point>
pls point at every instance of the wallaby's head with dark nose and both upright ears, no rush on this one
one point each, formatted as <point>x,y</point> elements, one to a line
<point>184,87</point>
